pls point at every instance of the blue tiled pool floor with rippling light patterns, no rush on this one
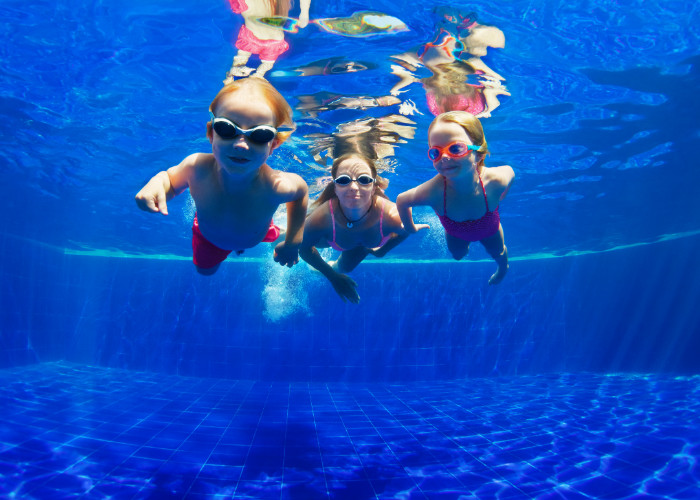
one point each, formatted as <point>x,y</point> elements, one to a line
<point>72,431</point>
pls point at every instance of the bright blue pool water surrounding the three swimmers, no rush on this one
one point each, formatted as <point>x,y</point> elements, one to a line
<point>125,374</point>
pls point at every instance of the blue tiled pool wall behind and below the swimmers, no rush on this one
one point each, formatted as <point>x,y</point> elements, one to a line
<point>604,312</point>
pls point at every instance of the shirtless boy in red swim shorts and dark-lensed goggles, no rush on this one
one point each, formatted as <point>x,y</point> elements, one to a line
<point>235,191</point>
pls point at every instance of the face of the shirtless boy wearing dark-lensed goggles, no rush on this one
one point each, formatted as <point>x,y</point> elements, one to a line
<point>240,155</point>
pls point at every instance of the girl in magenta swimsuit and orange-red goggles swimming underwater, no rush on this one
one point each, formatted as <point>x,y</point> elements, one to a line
<point>464,187</point>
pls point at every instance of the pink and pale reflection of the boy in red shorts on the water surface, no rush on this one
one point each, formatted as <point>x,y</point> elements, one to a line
<point>256,38</point>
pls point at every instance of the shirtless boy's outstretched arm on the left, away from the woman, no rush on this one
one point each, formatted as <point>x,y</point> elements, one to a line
<point>165,185</point>
